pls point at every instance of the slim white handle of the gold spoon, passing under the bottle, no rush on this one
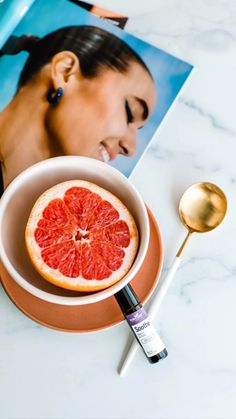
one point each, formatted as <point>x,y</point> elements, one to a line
<point>155,304</point>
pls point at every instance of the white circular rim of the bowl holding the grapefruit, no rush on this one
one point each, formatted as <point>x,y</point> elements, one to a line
<point>66,300</point>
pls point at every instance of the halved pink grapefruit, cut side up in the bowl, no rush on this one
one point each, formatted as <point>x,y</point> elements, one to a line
<point>81,237</point>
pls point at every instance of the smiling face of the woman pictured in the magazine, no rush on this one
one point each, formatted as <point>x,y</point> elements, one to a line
<point>100,117</point>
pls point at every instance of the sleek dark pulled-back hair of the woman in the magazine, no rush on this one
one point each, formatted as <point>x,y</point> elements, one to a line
<point>95,47</point>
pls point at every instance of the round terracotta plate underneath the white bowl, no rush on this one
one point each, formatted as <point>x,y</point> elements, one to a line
<point>90,317</point>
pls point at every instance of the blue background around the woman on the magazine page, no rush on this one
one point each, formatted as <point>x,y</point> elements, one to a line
<point>168,72</point>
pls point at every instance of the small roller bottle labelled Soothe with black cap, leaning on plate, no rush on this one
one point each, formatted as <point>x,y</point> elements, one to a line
<point>141,325</point>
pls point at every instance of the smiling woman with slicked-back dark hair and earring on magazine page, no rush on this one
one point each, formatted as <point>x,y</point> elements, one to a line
<point>82,91</point>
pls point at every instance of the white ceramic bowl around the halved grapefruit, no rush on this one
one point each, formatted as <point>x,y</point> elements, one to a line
<point>17,202</point>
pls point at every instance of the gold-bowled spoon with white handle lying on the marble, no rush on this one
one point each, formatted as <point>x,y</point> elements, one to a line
<point>201,209</point>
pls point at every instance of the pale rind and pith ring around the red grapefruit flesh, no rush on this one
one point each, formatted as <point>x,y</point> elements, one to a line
<point>55,276</point>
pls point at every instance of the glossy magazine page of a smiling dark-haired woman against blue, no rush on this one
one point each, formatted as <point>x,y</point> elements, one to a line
<point>72,83</point>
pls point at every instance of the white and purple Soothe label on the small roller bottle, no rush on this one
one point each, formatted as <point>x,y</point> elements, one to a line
<point>145,332</point>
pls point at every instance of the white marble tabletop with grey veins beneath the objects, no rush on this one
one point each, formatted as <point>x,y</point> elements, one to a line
<point>47,374</point>
